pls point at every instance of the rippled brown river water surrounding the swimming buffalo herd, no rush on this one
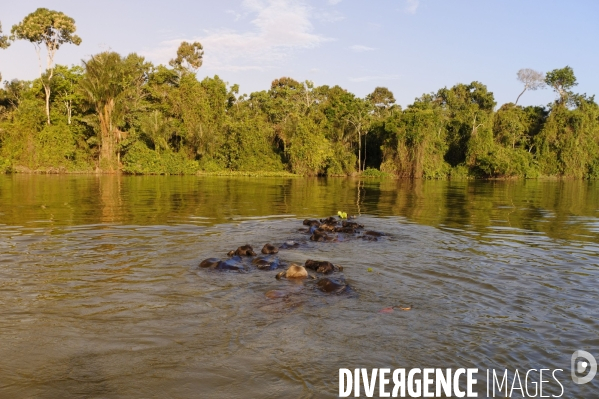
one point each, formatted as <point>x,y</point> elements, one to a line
<point>101,295</point>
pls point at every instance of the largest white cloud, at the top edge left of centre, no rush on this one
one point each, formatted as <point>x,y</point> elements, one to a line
<point>279,28</point>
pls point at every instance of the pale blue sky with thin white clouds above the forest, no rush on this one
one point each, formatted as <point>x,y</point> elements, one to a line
<point>411,47</point>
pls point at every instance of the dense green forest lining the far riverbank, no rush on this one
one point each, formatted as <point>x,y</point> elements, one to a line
<point>122,113</point>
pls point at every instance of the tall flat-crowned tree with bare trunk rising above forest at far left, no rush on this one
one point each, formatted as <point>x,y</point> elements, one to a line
<point>51,29</point>
